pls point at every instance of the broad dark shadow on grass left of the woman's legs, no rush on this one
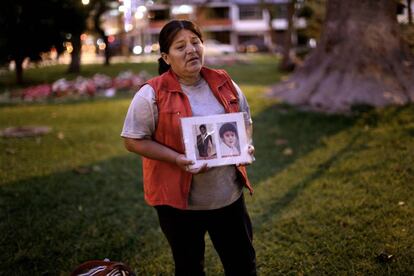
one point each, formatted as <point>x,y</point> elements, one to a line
<point>51,224</point>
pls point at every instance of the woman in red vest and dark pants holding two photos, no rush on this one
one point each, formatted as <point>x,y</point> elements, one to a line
<point>190,203</point>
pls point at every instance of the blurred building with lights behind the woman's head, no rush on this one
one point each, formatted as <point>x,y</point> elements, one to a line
<point>261,24</point>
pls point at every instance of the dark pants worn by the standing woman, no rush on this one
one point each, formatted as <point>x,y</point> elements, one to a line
<point>230,231</point>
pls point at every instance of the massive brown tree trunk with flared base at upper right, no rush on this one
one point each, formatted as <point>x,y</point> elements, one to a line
<point>360,60</point>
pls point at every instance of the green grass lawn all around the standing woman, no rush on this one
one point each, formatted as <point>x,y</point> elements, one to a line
<point>331,192</point>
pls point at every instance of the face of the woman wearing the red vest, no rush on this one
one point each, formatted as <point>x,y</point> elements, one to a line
<point>186,54</point>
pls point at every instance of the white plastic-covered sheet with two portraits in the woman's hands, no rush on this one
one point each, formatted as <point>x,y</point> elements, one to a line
<point>217,140</point>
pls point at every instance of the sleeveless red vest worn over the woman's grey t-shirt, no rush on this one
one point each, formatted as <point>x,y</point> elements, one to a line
<point>165,183</point>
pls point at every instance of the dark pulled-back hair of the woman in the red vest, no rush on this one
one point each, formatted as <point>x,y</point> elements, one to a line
<point>166,38</point>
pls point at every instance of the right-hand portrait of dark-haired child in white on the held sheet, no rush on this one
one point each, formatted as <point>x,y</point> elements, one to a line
<point>229,140</point>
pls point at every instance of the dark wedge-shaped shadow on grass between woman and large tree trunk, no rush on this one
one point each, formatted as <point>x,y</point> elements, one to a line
<point>283,134</point>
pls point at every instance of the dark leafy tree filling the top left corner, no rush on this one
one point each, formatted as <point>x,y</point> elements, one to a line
<point>32,27</point>
